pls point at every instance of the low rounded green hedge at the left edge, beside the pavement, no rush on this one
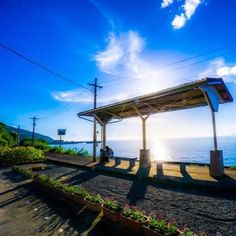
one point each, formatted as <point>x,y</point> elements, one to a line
<point>20,155</point>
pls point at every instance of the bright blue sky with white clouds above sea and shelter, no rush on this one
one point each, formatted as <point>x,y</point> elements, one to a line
<point>132,47</point>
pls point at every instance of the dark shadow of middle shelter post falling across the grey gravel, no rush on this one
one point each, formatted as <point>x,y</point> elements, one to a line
<point>138,189</point>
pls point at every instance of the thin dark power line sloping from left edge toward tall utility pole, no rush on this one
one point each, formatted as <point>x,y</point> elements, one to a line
<point>40,66</point>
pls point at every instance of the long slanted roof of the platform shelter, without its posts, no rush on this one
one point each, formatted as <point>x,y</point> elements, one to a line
<point>185,96</point>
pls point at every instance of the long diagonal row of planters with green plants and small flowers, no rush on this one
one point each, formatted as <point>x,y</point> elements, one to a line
<point>129,217</point>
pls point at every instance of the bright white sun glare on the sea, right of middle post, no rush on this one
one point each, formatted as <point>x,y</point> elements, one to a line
<point>159,150</point>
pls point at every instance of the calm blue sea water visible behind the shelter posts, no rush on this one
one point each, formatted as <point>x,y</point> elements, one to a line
<point>184,149</point>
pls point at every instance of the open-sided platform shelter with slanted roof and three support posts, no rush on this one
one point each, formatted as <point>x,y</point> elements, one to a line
<point>206,92</point>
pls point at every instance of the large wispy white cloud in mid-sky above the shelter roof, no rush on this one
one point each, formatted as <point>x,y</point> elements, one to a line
<point>123,57</point>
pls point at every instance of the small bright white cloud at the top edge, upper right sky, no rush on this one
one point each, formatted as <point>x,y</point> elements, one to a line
<point>189,9</point>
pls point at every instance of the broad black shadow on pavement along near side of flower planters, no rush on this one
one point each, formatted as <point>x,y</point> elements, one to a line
<point>78,218</point>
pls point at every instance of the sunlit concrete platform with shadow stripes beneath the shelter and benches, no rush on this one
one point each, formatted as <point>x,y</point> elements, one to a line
<point>175,173</point>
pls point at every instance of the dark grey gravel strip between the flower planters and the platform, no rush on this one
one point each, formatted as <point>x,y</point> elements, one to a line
<point>202,211</point>
